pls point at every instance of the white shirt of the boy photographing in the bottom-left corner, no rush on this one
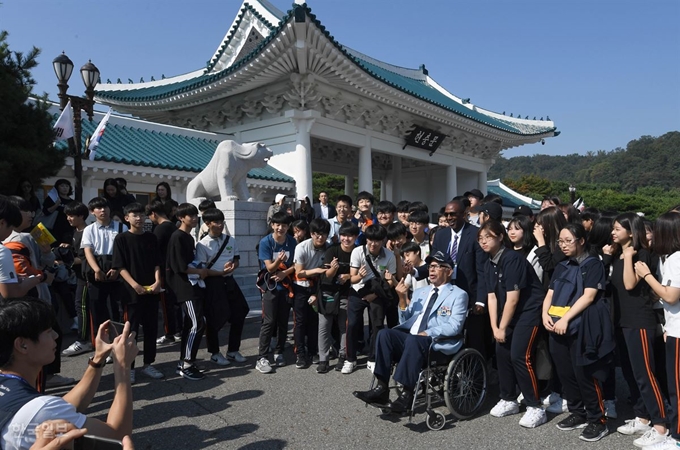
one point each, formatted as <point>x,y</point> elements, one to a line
<point>20,431</point>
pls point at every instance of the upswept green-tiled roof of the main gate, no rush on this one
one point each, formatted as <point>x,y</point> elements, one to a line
<point>418,88</point>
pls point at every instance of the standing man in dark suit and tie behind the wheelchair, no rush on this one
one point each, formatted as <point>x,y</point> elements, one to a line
<point>459,240</point>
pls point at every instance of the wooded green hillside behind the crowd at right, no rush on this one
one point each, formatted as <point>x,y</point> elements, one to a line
<point>644,177</point>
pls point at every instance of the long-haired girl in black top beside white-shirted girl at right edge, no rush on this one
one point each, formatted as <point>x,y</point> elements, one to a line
<point>635,322</point>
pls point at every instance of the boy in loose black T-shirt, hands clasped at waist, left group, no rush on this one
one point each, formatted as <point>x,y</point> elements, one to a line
<point>136,256</point>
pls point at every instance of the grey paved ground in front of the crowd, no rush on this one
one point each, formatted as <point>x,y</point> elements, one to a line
<point>237,407</point>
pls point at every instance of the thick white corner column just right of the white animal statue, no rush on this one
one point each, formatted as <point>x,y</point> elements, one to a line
<point>303,121</point>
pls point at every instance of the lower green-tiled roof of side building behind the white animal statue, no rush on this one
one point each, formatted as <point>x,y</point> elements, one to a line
<point>149,148</point>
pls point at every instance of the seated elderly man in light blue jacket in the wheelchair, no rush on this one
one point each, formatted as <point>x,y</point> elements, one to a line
<point>435,310</point>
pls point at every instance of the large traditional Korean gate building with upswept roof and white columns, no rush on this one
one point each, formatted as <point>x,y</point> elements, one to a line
<point>282,79</point>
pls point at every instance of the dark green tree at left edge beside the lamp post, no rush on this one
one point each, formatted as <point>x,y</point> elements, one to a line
<point>26,135</point>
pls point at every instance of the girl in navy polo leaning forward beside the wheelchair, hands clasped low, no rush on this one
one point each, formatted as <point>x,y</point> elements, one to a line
<point>515,297</point>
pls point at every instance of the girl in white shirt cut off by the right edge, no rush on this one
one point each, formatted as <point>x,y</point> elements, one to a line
<point>667,244</point>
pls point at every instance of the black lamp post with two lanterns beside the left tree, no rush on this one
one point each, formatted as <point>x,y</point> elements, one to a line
<point>63,67</point>
